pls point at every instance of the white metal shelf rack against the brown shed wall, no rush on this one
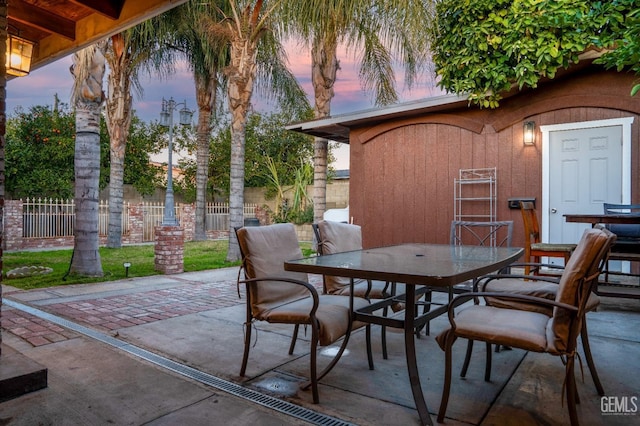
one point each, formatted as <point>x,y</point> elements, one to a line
<point>475,195</point>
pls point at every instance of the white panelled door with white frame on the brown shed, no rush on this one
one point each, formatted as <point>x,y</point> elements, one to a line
<point>584,164</point>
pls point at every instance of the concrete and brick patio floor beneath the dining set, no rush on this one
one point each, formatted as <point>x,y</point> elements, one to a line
<point>120,353</point>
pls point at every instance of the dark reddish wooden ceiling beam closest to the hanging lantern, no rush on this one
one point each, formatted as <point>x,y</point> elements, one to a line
<point>42,19</point>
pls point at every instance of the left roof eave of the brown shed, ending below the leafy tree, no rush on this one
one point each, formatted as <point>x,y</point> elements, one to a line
<point>337,128</point>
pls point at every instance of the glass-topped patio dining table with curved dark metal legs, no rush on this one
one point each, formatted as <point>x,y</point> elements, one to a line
<point>415,265</point>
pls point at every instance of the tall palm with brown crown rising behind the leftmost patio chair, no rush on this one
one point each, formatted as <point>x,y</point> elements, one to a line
<point>244,25</point>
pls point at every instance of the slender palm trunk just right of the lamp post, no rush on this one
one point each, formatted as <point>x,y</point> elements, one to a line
<point>205,97</point>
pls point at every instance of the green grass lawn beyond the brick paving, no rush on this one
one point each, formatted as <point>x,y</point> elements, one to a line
<point>198,256</point>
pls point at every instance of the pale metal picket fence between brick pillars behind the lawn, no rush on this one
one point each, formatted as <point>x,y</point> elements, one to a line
<point>51,218</point>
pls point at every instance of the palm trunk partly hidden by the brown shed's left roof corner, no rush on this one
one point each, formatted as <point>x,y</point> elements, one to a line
<point>325,65</point>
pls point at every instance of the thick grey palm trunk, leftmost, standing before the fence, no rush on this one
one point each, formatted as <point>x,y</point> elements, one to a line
<point>88,71</point>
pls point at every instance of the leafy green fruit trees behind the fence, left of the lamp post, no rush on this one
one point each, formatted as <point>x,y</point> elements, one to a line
<point>40,146</point>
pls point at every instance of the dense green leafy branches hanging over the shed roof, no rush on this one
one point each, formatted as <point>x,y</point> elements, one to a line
<point>484,47</point>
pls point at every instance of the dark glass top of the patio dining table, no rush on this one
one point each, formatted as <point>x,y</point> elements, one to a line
<point>421,264</point>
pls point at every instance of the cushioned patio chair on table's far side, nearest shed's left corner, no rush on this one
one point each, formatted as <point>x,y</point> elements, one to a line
<point>337,237</point>
